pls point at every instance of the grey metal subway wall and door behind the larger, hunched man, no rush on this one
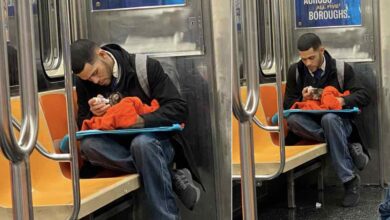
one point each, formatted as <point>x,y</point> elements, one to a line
<point>190,38</point>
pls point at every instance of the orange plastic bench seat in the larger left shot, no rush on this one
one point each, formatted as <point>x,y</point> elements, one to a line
<point>51,190</point>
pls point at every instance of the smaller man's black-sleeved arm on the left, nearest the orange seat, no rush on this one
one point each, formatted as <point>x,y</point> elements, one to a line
<point>293,93</point>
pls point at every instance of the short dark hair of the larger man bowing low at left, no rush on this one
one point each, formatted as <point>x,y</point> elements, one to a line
<point>82,52</point>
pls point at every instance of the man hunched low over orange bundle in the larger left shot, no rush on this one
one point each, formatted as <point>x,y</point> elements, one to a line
<point>109,69</point>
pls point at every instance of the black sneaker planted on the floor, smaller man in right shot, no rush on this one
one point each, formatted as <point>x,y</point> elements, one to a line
<point>352,192</point>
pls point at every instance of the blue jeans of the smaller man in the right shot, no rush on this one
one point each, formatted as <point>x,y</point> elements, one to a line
<point>333,130</point>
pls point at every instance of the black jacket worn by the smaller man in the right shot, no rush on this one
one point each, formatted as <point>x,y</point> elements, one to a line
<point>358,97</point>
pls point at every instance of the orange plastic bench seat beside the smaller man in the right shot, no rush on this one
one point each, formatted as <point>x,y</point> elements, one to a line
<point>266,151</point>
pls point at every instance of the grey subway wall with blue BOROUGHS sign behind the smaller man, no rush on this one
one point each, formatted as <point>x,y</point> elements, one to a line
<point>348,31</point>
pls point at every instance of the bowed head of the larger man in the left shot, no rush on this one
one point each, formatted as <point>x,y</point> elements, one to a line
<point>90,62</point>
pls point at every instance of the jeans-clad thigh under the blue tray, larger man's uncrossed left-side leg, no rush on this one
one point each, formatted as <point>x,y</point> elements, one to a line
<point>107,152</point>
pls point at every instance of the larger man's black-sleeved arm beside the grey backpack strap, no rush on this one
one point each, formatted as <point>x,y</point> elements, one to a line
<point>173,108</point>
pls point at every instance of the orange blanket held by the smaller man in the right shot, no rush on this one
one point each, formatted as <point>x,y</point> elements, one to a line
<point>328,101</point>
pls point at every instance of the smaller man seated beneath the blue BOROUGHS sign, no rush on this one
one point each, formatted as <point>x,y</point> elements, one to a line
<point>318,69</point>
